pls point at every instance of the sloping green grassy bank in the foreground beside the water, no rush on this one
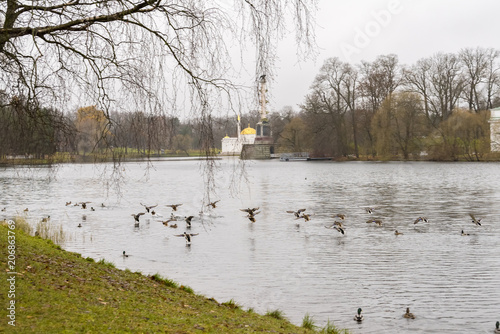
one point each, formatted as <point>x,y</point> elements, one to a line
<point>59,291</point>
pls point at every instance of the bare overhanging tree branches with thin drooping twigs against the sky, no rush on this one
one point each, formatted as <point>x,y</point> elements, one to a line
<point>143,55</point>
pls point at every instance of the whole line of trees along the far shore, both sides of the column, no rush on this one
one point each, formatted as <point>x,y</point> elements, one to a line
<point>437,108</point>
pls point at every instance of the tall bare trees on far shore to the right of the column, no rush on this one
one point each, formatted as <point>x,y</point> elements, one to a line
<point>437,106</point>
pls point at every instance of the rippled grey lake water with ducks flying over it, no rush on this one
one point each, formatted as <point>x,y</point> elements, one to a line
<point>450,282</point>
